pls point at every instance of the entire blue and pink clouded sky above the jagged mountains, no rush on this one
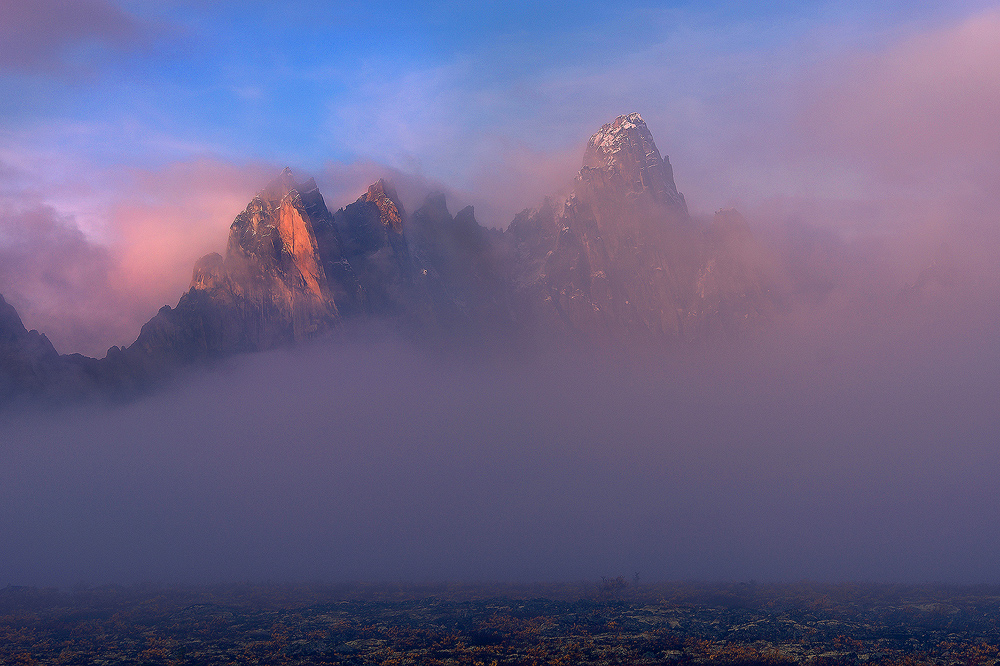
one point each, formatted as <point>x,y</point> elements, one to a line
<point>135,131</point>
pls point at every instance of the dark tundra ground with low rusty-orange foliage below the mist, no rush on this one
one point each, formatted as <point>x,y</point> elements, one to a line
<point>614,621</point>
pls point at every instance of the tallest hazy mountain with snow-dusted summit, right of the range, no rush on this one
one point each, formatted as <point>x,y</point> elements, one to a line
<point>620,258</point>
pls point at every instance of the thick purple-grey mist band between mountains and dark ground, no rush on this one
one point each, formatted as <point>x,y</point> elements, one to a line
<point>866,451</point>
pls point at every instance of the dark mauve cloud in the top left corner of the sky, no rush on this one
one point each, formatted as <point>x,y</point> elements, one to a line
<point>43,36</point>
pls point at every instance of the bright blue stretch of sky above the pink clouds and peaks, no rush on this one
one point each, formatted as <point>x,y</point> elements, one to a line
<point>307,82</point>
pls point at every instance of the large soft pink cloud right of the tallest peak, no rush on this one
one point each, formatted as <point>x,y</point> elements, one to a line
<point>896,146</point>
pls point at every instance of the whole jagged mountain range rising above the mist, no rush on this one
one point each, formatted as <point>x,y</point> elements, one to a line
<point>618,260</point>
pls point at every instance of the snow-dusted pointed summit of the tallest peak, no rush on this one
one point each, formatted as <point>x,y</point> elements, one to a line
<point>625,147</point>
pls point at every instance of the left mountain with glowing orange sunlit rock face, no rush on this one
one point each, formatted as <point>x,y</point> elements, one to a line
<point>282,280</point>
